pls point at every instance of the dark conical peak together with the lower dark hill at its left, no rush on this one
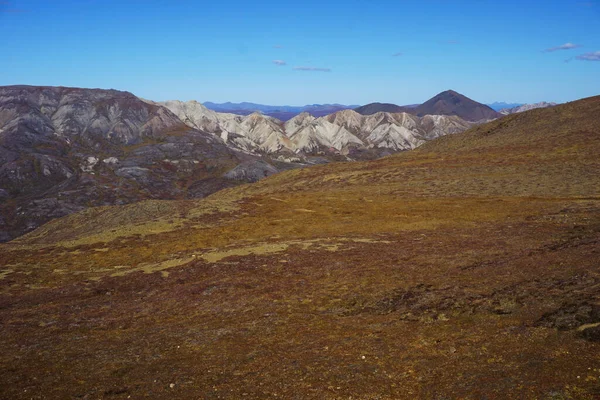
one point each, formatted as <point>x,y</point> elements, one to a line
<point>445,103</point>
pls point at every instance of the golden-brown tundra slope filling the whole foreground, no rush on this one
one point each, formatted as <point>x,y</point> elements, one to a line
<point>472,259</point>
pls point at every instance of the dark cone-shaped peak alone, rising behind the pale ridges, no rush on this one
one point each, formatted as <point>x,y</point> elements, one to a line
<point>453,103</point>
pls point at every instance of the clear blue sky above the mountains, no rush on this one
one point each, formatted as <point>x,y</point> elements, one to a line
<point>225,50</point>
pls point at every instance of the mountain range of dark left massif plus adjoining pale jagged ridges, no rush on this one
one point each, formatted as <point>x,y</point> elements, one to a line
<point>66,149</point>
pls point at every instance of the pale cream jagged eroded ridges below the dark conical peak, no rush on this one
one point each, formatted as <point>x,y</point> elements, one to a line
<point>345,132</point>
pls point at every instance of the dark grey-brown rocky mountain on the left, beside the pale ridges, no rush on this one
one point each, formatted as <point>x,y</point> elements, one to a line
<point>65,149</point>
